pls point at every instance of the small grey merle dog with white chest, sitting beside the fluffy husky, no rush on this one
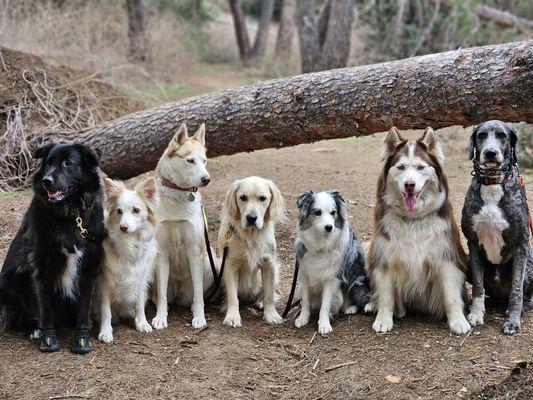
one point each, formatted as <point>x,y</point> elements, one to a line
<point>332,262</point>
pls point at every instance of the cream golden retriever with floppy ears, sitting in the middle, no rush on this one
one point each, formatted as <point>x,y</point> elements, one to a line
<point>252,207</point>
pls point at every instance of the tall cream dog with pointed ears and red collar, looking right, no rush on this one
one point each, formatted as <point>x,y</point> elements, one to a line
<point>182,266</point>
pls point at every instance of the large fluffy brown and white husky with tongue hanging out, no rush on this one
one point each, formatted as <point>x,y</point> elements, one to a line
<point>415,259</point>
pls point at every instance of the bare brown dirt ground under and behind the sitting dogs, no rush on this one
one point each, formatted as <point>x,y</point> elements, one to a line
<point>418,359</point>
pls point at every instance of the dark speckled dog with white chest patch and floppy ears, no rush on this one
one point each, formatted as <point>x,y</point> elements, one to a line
<point>496,224</point>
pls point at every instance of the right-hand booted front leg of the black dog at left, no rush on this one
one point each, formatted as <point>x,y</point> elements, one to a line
<point>82,343</point>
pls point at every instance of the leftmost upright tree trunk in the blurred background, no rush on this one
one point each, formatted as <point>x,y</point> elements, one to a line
<point>139,50</point>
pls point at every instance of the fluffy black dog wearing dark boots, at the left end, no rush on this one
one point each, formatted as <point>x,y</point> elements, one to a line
<point>51,265</point>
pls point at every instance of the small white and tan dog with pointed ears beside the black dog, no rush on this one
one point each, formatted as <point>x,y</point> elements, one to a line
<point>130,250</point>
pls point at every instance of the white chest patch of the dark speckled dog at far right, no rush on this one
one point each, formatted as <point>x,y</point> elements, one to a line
<point>490,222</point>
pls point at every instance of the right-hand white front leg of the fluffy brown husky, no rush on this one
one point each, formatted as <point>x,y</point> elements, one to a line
<point>452,284</point>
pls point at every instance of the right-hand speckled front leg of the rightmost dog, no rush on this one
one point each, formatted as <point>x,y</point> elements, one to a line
<point>516,297</point>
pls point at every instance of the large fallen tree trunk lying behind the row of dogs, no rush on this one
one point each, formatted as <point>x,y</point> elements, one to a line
<point>461,87</point>
